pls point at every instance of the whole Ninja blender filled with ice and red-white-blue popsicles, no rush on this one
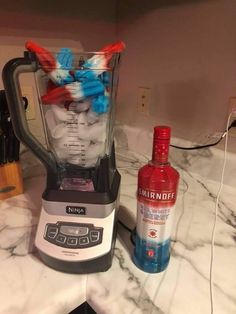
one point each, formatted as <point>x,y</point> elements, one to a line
<point>76,93</point>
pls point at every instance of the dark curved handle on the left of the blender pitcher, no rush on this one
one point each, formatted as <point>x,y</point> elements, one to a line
<point>10,76</point>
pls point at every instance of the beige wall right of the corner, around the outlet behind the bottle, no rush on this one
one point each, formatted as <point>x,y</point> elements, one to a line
<point>187,55</point>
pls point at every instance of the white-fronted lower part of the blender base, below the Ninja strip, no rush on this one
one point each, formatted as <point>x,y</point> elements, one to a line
<point>77,244</point>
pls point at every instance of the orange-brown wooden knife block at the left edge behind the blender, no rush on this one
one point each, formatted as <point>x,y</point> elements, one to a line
<point>11,181</point>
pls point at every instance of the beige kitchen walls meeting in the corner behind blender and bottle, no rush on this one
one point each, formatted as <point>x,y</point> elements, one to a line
<point>185,53</point>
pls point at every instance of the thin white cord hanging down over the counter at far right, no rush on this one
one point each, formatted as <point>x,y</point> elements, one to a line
<point>216,216</point>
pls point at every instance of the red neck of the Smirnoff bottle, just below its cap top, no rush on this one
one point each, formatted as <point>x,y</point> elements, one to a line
<point>160,150</point>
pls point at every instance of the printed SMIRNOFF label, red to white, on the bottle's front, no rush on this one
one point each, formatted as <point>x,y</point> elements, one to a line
<point>154,215</point>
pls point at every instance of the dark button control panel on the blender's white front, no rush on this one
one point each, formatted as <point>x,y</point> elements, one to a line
<point>73,235</point>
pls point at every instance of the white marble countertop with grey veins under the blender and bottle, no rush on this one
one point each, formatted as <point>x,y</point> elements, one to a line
<point>28,286</point>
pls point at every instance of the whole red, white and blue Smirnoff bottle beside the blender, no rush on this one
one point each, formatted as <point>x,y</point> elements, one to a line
<point>156,197</point>
